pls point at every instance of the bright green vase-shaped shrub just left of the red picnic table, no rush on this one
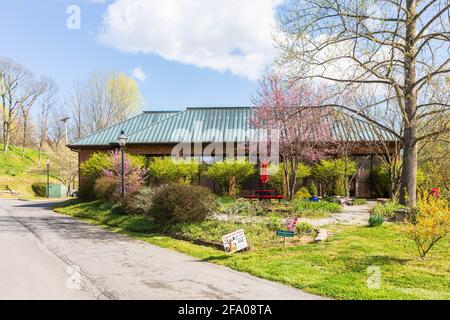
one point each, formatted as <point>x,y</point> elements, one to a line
<point>230,174</point>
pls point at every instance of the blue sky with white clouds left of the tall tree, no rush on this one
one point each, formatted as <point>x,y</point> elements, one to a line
<point>181,52</point>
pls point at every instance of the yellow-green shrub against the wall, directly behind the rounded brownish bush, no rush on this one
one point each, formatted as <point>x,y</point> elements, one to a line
<point>166,170</point>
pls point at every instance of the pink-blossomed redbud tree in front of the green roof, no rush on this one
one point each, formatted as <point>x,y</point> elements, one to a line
<point>303,130</point>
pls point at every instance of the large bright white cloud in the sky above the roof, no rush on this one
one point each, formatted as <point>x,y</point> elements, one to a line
<point>231,35</point>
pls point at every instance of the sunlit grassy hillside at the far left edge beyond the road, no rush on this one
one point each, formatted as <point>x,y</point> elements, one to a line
<point>18,172</point>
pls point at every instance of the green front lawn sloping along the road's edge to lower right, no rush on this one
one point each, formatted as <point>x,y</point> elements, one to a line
<point>336,268</point>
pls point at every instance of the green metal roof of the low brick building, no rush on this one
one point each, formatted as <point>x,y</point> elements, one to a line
<point>214,124</point>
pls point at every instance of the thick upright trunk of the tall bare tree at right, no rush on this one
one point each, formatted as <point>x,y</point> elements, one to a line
<point>408,184</point>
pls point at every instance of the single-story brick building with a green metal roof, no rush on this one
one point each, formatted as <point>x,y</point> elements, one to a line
<point>157,133</point>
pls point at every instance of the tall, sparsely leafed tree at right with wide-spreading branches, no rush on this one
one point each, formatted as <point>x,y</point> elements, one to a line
<point>399,47</point>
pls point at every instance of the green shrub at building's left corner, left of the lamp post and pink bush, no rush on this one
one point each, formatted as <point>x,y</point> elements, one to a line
<point>90,170</point>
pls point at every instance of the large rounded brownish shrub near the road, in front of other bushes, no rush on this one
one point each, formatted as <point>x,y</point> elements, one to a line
<point>182,203</point>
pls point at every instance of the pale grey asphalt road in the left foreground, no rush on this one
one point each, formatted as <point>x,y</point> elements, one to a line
<point>44,255</point>
